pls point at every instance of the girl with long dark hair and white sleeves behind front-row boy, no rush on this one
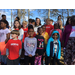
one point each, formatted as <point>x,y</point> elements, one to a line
<point>17,26</point>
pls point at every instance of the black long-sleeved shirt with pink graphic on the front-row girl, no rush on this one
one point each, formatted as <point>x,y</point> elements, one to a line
<point>40,45</point>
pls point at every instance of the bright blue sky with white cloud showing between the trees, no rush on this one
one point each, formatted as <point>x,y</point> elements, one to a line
<point>35,14</point>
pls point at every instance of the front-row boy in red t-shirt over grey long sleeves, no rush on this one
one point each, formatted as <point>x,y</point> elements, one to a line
<point>13,49</point>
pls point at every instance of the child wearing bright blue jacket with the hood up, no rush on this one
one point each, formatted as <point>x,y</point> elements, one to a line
<point>54,48</point>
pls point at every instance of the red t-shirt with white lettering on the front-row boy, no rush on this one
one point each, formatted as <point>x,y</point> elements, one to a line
<point>14,46</point>
